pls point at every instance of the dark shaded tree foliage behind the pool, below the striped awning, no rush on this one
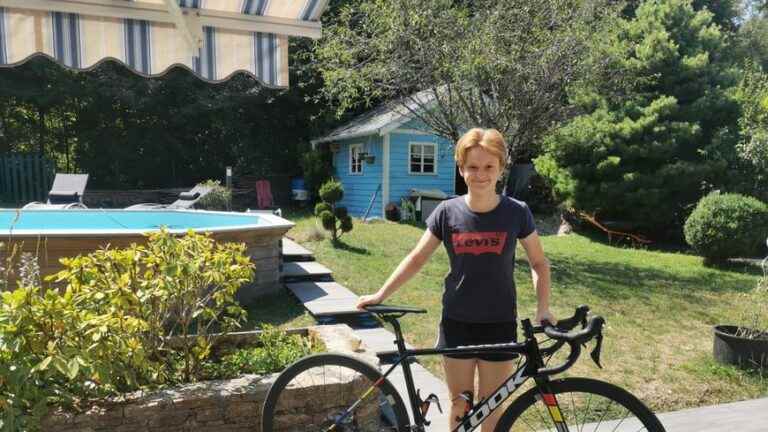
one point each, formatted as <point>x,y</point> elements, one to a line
<point>129,131</point>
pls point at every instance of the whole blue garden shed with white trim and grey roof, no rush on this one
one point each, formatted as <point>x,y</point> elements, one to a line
<point>384,154</point>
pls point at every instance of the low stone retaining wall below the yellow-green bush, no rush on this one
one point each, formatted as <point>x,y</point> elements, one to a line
<point>213,406</point>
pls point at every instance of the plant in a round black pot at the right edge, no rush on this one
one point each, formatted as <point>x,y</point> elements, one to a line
<point>746,345</point>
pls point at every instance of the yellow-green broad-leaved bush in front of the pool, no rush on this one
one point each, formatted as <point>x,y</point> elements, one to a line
<point>105,329</point>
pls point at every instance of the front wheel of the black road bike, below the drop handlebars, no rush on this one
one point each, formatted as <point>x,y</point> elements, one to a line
<point>582,405</point>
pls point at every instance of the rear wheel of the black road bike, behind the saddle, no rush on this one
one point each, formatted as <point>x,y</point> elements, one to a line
<point>319,391</point>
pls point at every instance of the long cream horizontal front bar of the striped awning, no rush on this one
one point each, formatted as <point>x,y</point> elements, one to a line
<point>159,13</point>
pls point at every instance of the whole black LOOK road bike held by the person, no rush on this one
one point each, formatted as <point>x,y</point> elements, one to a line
<point>336,392</point>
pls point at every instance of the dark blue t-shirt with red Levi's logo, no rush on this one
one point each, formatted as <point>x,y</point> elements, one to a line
<point>480,286</point>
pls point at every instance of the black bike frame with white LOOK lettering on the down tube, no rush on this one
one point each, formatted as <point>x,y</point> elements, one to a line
<point>473,419</point>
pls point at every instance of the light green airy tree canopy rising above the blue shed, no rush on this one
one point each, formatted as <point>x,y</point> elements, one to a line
<point>494,63</point>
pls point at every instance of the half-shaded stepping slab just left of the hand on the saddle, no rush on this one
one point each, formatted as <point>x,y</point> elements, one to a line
<point>325,298</point>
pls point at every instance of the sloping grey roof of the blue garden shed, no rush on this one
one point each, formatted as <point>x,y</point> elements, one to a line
<point>379,120</point>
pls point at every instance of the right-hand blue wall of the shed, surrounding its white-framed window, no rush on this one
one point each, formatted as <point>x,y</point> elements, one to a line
<point>401,181</point>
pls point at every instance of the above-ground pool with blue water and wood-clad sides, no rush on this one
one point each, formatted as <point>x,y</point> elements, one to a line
<point>52,234</point>
